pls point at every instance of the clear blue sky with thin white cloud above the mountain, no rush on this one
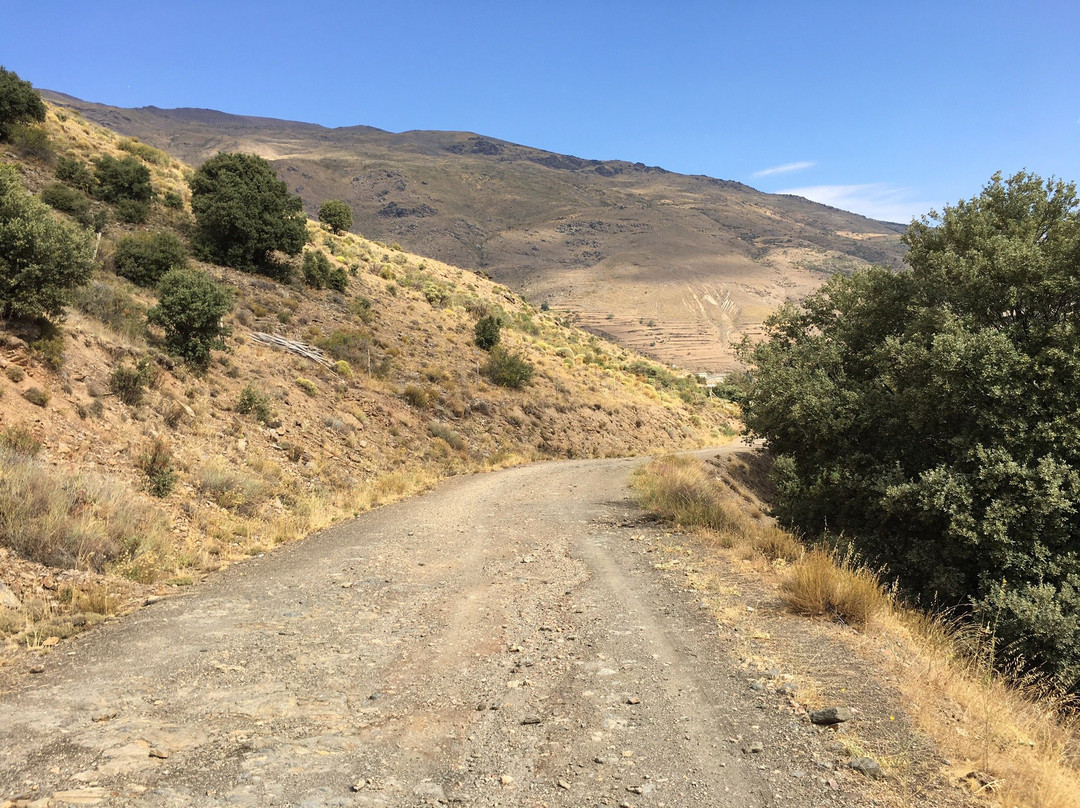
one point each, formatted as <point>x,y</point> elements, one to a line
<point>884,109</point>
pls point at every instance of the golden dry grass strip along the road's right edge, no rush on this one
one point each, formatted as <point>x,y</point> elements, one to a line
<point>1021,740</point>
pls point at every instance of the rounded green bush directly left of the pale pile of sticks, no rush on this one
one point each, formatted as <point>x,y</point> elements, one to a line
<point>191,308</point>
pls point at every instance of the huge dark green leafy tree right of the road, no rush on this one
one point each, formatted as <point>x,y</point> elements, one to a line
<point>930,416</point>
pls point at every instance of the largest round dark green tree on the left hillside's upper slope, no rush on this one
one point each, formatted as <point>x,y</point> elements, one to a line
<point>245,213</point>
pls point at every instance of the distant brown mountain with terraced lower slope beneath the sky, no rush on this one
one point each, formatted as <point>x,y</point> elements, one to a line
<point>673,266</point>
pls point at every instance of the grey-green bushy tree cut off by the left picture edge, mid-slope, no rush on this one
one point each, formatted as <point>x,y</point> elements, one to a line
<point>43,258</point>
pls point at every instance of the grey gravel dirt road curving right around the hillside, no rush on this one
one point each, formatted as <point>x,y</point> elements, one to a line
<point>503,641</point>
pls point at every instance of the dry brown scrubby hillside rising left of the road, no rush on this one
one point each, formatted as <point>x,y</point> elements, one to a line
<point>354,399</point>
